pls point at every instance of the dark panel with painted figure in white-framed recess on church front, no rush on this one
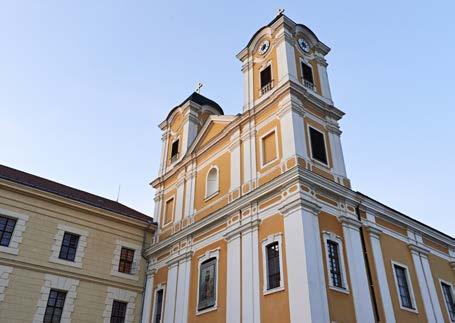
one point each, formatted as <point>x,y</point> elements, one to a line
<point>207,284</point>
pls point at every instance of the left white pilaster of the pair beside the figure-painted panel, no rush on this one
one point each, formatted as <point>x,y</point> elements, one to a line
<point>233,299</point>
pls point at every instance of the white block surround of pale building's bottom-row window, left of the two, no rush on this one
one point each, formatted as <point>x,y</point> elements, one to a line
<point>60,283</point>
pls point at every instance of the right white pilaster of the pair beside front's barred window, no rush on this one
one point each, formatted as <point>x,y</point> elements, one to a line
<point>250,277</point>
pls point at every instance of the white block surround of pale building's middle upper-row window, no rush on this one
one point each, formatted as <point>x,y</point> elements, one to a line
<point>58,239</point>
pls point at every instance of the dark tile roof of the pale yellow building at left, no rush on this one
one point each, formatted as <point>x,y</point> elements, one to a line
<point>33,181</point>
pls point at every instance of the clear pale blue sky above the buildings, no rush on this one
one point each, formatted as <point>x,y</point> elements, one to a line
<point>84,84</point>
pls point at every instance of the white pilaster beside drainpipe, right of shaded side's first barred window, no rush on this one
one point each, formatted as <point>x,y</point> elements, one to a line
<point>357,270</point>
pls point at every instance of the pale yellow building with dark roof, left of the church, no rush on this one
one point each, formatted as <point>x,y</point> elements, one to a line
<point>67,255</point>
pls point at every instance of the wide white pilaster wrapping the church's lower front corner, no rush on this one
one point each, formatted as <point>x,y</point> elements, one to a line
<point>306,282</point>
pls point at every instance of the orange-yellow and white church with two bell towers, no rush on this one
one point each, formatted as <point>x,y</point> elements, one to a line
<point>256,218</point>
